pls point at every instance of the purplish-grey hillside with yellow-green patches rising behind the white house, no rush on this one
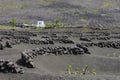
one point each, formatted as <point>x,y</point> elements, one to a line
<point>69,12</point>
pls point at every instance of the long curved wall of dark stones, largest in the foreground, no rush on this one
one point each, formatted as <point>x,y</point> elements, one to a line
<point>28,55</point>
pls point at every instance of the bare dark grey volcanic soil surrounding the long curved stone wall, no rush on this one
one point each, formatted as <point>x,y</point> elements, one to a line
<point>50,67</point>
